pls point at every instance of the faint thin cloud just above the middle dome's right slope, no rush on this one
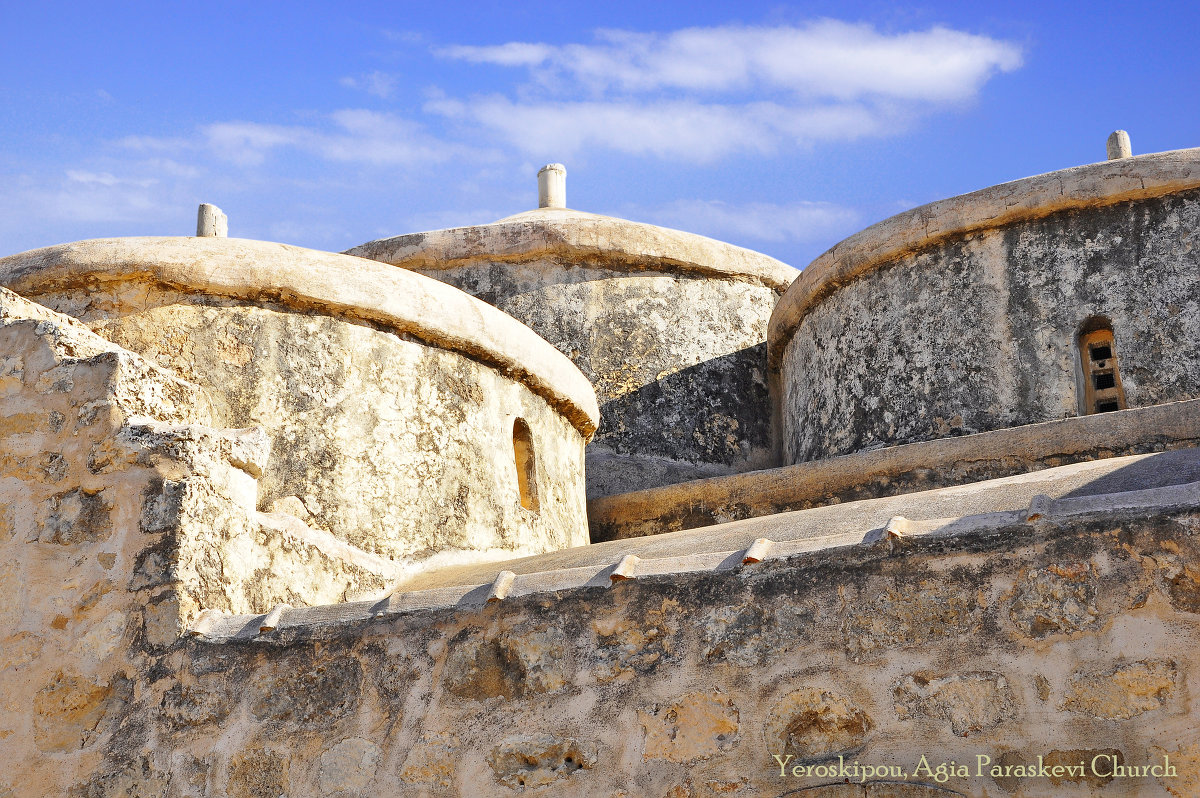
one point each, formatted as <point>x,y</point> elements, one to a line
<point>802,221</point>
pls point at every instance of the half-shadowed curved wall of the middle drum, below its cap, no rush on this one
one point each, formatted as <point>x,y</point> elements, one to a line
<point>679,363</point>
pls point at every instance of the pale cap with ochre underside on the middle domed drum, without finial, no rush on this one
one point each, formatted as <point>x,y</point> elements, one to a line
<point>572,237</point>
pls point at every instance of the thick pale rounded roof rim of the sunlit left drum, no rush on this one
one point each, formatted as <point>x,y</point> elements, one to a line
<point>329,284</point>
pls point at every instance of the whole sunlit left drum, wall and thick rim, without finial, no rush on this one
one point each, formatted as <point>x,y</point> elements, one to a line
<point>391,400</point>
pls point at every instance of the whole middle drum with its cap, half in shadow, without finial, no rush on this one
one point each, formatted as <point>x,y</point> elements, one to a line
<point>669,327</point>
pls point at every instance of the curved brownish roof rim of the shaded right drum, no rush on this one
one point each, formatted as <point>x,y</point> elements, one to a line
<point>1094,185</point>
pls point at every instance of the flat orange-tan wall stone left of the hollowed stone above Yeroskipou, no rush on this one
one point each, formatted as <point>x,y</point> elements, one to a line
<point>697,727</point>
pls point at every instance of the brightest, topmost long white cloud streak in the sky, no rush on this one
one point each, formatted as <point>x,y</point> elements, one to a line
<point>821,59</point>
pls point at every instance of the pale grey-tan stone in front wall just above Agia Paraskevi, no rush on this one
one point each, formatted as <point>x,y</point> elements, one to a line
<point>971,703</point>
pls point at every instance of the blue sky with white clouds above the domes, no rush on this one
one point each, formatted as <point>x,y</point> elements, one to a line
<point>778,127</point>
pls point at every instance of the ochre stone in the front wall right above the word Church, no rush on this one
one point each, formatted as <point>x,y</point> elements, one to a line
<point>1124,691</point>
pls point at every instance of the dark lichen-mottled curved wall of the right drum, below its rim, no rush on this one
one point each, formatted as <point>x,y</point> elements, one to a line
<point>980,332</point>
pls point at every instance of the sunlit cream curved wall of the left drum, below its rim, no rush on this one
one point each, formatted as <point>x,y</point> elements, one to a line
<point>393,446</point>
